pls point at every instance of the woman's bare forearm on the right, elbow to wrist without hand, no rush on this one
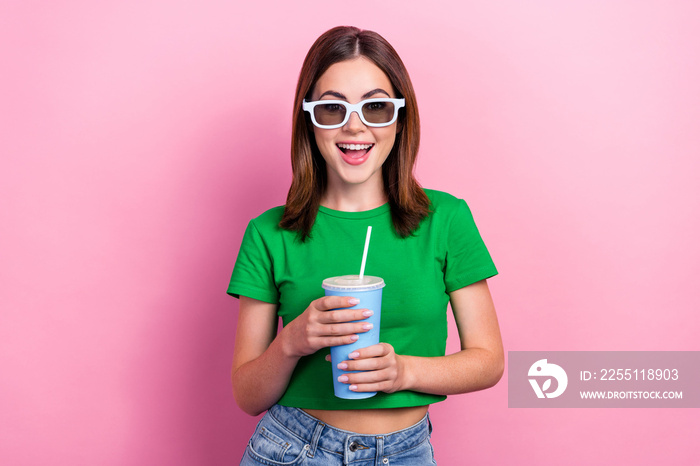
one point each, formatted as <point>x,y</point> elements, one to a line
<point>466,371</point>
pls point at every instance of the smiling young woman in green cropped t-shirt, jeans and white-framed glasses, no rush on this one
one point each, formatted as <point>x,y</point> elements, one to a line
<point>354,143</point>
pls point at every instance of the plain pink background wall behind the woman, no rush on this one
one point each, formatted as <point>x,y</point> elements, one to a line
<point>139,137</point>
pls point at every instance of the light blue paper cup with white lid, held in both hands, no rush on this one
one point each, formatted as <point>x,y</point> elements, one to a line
<point>369,292</point>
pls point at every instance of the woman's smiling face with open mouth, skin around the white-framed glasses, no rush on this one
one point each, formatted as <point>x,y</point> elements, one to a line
<point>359,165</point>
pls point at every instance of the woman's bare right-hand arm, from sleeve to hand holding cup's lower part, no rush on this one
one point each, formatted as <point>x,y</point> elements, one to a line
<point>477,366</point>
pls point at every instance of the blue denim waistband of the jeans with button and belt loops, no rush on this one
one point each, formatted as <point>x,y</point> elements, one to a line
<point>320,435</point>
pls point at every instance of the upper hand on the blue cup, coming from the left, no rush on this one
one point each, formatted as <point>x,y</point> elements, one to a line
<point>319,327</point>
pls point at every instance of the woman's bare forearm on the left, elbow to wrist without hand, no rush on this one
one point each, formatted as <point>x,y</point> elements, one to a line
<point>260,383</point>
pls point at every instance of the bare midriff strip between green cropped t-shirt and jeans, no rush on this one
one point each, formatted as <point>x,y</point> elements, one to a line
<point>371,421</point>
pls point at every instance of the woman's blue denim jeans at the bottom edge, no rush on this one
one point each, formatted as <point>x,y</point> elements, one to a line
<point>290,436</point>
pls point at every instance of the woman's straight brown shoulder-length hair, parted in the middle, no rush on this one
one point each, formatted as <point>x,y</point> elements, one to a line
<point>407,200</point>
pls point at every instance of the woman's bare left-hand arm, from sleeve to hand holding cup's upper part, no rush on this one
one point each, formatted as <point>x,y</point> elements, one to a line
<point>264,362</point>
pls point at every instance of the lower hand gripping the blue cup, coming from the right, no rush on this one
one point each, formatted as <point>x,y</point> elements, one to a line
<point>385,370</point>
